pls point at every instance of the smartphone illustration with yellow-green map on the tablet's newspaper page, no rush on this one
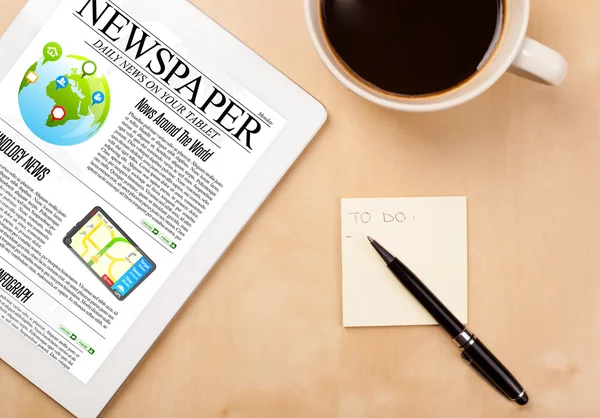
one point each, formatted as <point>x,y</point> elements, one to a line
<point>109,253</point>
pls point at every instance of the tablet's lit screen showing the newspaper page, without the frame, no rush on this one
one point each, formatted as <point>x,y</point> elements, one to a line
<point>117,151</point>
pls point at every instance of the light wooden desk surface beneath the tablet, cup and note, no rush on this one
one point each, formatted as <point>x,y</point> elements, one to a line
<point>263,337</point>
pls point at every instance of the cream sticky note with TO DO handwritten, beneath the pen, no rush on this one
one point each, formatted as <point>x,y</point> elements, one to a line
<point>429,235</point>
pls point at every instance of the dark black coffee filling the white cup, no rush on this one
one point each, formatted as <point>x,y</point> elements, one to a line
<point>413,47</point>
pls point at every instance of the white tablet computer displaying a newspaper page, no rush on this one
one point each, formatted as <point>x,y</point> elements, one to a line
<point>133,150</point>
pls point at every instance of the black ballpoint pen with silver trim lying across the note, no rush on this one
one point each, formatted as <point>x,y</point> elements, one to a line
<point>474,351</point>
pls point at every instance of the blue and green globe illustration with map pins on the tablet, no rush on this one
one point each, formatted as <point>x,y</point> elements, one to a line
<point>62,98</point>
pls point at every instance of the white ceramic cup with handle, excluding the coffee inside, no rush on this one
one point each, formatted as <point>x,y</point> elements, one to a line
<point>514,53</point>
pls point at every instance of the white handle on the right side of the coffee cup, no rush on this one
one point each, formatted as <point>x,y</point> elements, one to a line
<point>539,63</point>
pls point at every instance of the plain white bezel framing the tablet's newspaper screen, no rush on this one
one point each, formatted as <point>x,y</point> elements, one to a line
<point>304,117</point>
